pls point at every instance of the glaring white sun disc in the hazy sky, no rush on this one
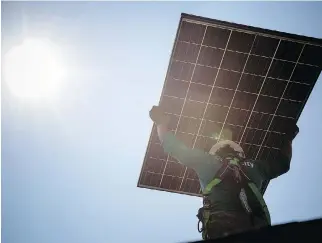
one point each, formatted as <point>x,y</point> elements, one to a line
<point>33,70</point>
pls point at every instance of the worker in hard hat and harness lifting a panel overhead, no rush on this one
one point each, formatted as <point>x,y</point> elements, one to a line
<point>230,182</point>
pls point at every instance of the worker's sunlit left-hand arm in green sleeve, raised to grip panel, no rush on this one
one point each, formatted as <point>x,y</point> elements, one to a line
<point>193,158</point>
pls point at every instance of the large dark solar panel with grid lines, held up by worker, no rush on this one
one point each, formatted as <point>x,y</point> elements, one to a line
<point>230,81</point>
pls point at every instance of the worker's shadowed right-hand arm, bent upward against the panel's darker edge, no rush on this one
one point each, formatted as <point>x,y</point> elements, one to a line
<point>281,164</point>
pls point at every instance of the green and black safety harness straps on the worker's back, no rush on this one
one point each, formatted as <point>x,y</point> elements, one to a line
<point>230,163</point>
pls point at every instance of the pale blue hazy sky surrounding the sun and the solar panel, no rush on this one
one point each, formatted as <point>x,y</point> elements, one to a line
<point>70,167</point>
